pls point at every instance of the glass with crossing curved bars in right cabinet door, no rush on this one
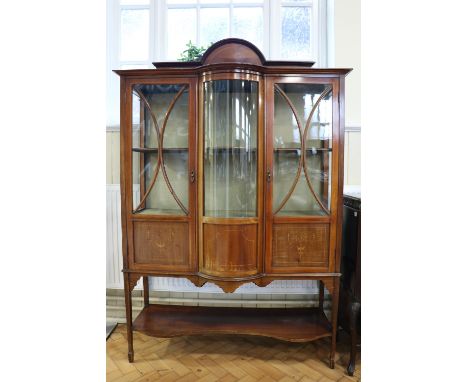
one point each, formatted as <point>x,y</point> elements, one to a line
<point>302,149</point>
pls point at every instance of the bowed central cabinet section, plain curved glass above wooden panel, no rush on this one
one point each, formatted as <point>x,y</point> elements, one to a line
<point>231,203</point>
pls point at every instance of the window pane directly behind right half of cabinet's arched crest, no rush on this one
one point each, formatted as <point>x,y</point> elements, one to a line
<point>247,23</point>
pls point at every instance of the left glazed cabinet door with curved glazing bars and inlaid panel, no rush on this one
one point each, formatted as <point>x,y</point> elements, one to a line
<point>161,144</point>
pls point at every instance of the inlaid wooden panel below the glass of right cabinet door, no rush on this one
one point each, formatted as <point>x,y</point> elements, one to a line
<point>300,245</point>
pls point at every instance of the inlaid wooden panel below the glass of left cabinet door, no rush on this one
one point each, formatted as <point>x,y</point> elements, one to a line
<point>162,244</point>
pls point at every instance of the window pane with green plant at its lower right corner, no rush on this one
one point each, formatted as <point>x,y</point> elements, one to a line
<point>176,41</point>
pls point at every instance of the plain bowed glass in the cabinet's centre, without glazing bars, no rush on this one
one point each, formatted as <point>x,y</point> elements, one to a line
<point>230,148</point>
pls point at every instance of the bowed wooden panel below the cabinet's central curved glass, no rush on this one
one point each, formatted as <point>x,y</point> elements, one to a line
<point>230,250</point>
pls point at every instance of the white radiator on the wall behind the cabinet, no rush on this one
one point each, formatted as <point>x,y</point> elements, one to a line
<point>114,277</point>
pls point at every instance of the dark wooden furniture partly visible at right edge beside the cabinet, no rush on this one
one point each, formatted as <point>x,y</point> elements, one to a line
<point>350,285</point>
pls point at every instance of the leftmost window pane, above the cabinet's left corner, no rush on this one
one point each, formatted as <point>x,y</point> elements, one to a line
<point>134,34</point>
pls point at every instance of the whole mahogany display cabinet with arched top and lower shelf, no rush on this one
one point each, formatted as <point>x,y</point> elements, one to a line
<point>231,173</point>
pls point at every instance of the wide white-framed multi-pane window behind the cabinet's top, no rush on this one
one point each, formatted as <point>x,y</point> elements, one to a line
<point>142,31</point>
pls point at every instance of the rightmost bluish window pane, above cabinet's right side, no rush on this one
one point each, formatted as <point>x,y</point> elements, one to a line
<point>296,33</point>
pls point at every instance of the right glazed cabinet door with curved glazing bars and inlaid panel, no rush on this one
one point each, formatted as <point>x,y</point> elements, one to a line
<point>301,174</point>
